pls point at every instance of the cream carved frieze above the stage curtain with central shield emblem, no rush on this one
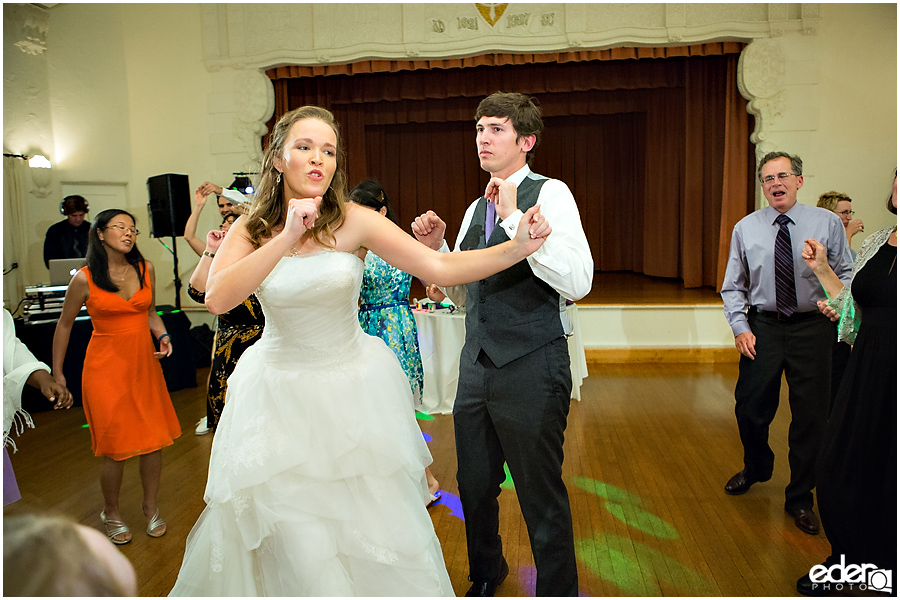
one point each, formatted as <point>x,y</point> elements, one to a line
<point>264,35</point>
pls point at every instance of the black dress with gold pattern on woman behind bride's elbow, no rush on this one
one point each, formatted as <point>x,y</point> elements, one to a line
<point>237,330</point>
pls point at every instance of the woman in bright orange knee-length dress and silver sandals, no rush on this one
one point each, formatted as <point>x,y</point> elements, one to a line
<point>123,390</point>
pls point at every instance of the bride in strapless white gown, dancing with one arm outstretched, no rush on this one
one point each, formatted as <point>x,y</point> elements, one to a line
<point>316,478</point>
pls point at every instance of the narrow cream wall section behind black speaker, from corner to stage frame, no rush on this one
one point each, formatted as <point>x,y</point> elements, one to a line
<point>168,87</point>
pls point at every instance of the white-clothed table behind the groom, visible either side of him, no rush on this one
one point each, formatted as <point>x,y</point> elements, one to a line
<point>441,338</point>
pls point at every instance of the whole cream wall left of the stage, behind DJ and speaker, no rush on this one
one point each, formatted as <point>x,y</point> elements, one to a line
<point>128,99</point>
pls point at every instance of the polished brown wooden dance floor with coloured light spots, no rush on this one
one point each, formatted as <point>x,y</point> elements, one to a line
<point>648,450</point>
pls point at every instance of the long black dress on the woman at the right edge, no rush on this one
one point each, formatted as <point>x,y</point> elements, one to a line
<point>857,467</point>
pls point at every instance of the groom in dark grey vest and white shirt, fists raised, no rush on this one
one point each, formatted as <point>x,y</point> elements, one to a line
<point>514,377</point>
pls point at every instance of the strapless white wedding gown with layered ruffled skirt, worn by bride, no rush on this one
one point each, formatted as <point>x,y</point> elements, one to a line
<point>316,479</point>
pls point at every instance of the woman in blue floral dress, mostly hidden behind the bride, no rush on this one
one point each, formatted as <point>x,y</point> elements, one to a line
<point>384,305</point>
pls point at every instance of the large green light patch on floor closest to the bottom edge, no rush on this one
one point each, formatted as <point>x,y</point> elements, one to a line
<point>638,569</point>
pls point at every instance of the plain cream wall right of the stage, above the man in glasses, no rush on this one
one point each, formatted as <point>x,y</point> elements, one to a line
<point>841,108</point>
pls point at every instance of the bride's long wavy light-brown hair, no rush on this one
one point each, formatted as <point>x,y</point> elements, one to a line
<point>269,208</point>
